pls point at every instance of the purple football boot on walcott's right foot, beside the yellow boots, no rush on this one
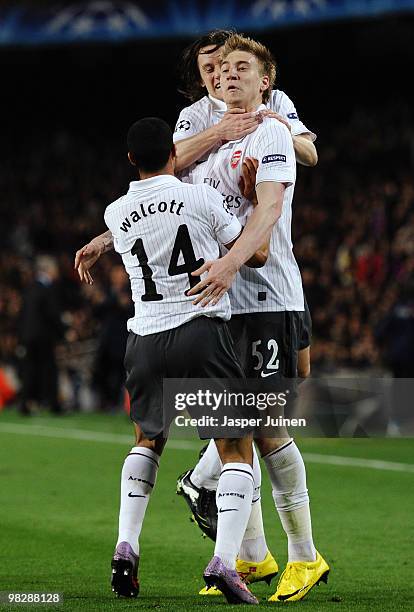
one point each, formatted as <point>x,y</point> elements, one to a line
<point>228,582</point>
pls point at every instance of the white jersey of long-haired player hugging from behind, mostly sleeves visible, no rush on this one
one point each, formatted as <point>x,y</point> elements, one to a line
<point>209,111</point>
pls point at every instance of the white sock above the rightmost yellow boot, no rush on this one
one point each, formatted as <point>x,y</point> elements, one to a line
<point>288,477</point>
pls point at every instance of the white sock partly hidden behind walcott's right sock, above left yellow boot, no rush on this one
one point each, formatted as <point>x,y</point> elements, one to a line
<point>254,546</point>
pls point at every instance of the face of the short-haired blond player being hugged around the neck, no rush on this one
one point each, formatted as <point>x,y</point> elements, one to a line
<point>242,84</point>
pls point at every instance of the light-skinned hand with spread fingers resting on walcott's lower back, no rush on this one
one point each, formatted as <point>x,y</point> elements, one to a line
<point>210,290</point>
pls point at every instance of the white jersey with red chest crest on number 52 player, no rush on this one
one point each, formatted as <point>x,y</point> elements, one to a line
<point>277,286</point>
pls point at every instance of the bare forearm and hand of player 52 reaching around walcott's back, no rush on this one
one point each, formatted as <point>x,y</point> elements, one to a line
<point>221,272</point>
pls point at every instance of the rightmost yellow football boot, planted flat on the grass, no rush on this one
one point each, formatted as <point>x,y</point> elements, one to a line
<point>299,577</point>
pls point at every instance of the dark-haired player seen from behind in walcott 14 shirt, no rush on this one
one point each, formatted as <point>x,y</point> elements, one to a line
<point>164,230</point>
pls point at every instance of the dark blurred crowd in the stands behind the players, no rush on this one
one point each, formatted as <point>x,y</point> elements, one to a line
<point>65,160</point>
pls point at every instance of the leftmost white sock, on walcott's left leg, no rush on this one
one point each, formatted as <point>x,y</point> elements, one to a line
<point>138,478</point>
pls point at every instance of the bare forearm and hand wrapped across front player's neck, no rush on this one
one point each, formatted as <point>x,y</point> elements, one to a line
<point>235,124</point>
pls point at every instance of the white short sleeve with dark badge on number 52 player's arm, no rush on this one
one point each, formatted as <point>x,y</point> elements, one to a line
<point>273,149</point>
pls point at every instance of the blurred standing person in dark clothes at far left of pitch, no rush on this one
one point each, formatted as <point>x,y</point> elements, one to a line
<point>40,329</point>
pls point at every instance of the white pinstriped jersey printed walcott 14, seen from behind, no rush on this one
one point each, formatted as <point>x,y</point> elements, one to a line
<point>164,229</point>
